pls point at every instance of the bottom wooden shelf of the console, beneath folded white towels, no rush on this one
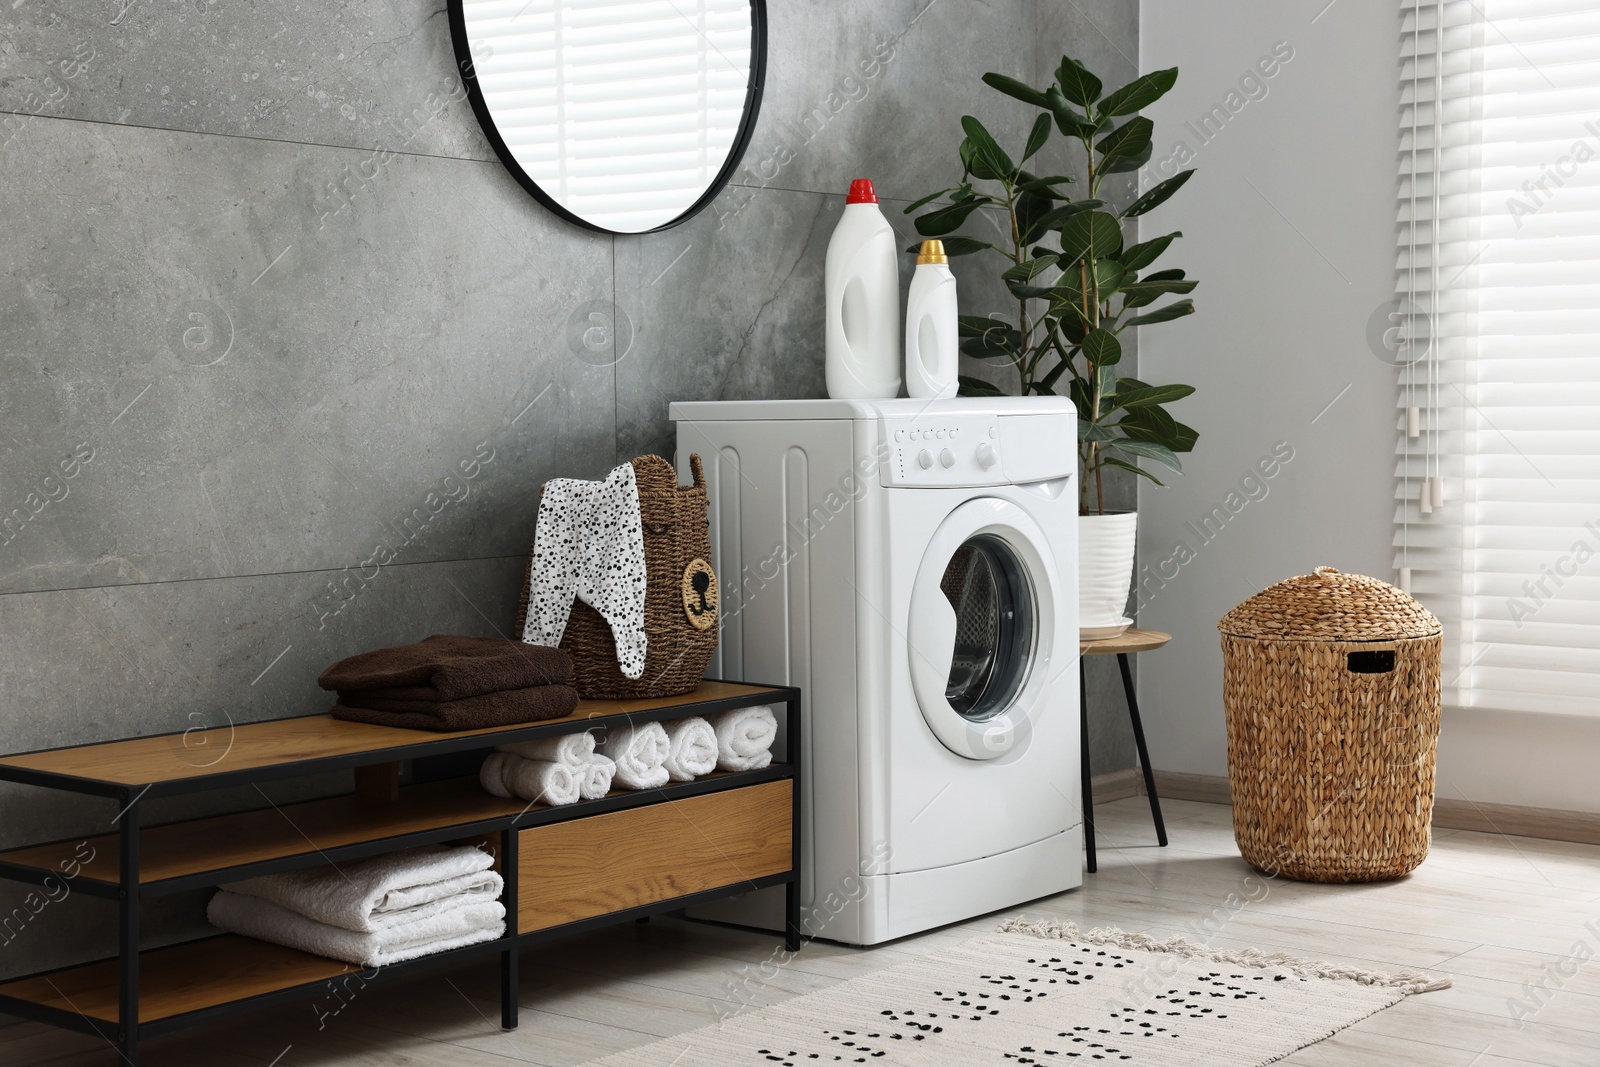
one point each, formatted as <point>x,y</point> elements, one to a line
<point>180,980</point>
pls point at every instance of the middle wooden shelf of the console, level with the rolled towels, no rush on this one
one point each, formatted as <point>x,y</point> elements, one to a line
<point>313,829</point>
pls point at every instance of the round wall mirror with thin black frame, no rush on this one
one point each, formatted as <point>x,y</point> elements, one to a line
<point>622,116</point>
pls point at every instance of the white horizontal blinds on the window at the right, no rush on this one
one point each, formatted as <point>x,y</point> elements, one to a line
<point>1498,481</point>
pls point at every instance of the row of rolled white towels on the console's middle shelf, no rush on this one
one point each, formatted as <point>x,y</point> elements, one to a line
<point>577,767</point>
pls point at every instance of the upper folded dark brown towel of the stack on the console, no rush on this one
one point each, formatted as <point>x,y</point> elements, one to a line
<point>447,668</point>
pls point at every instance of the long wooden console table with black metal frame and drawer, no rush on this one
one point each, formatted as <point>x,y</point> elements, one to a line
<point>567,869</point>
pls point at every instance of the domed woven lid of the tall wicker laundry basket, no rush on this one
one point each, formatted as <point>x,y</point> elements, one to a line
<point>1330,607</point>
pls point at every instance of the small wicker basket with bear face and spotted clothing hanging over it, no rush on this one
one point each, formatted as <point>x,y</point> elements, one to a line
<point>681,596</point>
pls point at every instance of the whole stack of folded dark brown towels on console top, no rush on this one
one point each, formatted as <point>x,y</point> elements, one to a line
<point>454,684</point>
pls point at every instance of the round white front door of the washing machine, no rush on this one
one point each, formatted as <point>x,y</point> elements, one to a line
<point>982,628</point>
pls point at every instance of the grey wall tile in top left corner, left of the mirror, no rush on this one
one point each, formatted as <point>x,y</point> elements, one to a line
<point>350,74</point>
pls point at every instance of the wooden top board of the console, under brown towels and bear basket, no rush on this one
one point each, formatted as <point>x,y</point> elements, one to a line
<point>298,745</point>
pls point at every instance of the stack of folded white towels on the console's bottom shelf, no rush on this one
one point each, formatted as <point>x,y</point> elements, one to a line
<point>372,913</point>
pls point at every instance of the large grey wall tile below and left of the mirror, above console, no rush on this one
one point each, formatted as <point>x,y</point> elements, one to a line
<point>300,385</point>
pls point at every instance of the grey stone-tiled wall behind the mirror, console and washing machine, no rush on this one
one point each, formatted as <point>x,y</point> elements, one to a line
<point>274,313</point>
